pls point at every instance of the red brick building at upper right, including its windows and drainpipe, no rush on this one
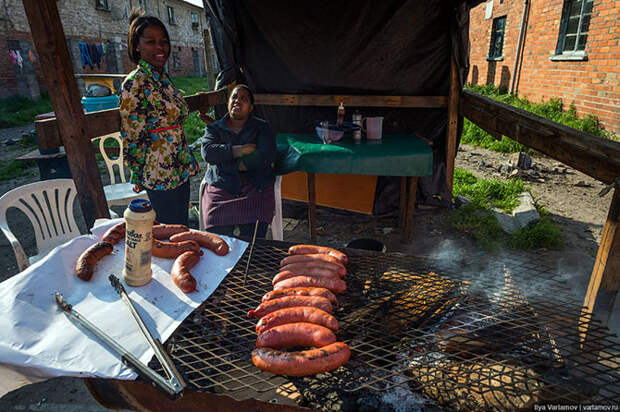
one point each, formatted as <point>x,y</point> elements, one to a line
<point>569,50</point>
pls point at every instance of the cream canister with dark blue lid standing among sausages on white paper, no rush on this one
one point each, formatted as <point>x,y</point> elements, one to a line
<point>139,218</point>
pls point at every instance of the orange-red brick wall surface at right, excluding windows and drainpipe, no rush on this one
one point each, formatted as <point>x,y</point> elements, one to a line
<point>593,86</point>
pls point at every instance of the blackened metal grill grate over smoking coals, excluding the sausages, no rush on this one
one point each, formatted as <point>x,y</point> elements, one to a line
<point>475,332</point>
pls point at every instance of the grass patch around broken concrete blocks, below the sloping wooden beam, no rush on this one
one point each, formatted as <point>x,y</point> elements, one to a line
<point>478,221</point>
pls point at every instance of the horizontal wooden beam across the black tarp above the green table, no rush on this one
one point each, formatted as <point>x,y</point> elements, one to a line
<point>351,100</point>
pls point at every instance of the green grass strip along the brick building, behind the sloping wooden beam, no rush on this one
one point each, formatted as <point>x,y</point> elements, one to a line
<point>553,110</point>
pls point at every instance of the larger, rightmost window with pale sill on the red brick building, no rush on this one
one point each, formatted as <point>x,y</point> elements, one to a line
<point>574,26</point>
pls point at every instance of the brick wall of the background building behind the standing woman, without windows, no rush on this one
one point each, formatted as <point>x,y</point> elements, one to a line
<point>82,21</point>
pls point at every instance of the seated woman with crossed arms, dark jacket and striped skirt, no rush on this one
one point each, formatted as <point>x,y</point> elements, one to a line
<point>240,150</point>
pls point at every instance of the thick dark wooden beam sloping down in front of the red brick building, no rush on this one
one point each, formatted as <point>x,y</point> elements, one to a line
<point>592,155</point>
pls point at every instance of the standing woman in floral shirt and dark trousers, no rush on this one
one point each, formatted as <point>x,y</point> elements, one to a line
<point>152,114</point>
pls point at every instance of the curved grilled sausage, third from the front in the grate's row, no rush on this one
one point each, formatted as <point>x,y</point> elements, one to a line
<point>297,314</point>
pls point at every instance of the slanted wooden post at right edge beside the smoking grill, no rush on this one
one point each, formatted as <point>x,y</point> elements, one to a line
<point>606,271</point>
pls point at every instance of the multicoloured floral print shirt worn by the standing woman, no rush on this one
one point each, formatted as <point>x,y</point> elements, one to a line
<point>154,146</point>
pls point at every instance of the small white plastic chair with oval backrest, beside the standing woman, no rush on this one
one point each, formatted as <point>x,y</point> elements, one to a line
<point>117,194</point>
